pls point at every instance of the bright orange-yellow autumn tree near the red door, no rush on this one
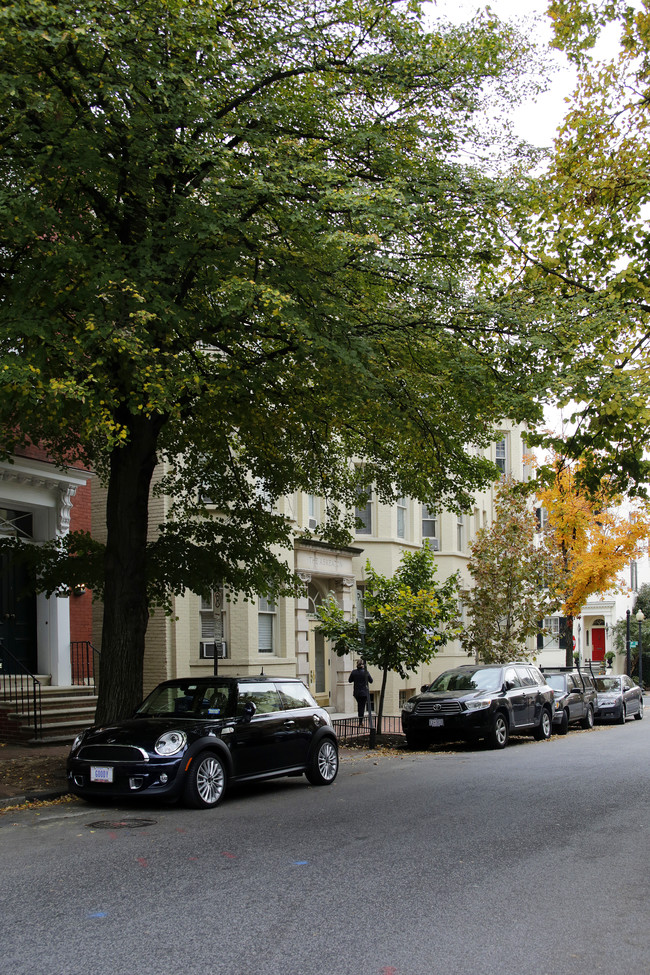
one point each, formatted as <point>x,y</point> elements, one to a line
<point>588,538</point>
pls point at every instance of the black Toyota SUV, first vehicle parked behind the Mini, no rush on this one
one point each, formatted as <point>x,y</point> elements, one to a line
<point>488,701</point>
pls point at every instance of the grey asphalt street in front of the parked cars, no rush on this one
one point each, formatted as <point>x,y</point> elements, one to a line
<point>533,859</point>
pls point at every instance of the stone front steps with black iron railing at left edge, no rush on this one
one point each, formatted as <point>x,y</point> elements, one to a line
<point>65,711</point>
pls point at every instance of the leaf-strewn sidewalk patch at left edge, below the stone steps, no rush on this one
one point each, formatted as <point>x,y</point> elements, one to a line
<point>28,774</point>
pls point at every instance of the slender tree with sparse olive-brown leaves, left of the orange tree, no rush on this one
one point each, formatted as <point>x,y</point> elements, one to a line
<point>513,581</point>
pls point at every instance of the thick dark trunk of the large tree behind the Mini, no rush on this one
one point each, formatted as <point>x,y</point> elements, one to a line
<point>126,602</point>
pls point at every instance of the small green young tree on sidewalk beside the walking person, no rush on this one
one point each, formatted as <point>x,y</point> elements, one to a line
<point>409,617</point>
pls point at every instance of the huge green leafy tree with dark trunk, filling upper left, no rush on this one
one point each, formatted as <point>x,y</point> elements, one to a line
<point>243,244</point>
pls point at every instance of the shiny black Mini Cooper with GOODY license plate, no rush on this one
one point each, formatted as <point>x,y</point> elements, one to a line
<point>191,738</point>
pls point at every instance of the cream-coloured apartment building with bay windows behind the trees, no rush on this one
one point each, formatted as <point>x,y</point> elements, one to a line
<point>220,631</point>
